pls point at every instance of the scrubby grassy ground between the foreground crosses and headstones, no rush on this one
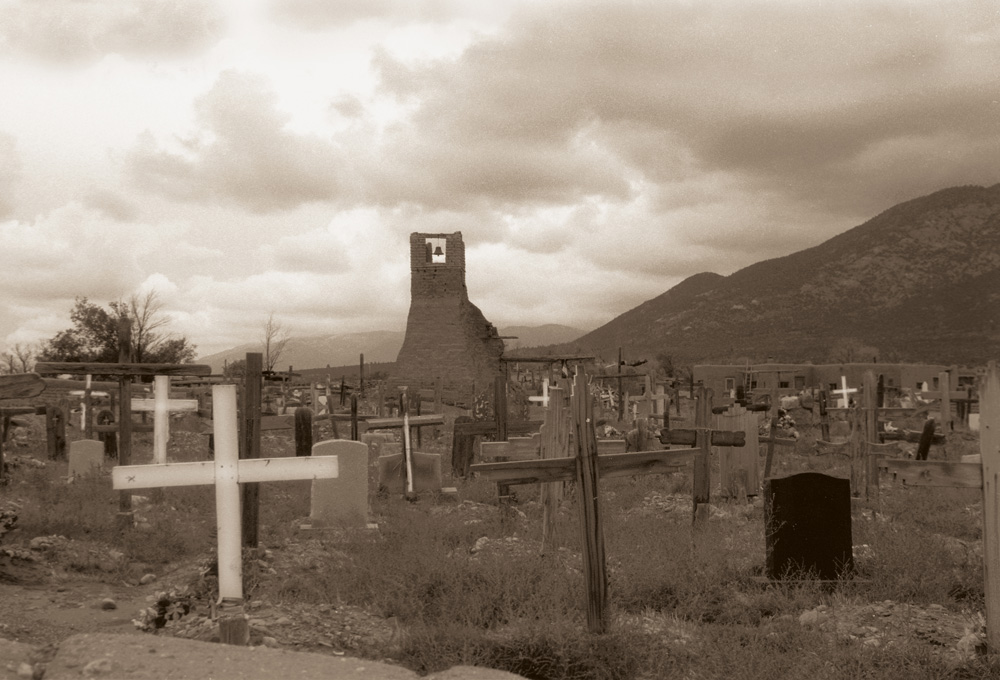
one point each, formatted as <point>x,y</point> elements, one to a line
<point>466,585</point>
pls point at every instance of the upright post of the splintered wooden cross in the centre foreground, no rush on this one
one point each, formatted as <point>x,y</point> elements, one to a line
<point>594,567</point>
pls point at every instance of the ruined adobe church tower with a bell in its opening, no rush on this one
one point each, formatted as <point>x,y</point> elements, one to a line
<point>447,337</point>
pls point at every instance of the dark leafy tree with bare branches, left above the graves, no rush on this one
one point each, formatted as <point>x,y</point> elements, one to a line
<point>94,335</point>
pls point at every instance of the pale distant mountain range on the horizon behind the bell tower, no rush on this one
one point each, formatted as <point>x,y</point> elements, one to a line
<point>378,346</point>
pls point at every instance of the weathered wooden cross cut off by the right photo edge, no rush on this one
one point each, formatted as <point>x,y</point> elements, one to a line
<point>984,475</point>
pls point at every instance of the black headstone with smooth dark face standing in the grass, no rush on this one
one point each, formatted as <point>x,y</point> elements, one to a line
<point>808,526</point>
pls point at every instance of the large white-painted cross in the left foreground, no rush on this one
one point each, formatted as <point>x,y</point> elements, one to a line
<point>227,472</point>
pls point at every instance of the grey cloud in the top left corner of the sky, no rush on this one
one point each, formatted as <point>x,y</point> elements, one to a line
<point>70,31</point>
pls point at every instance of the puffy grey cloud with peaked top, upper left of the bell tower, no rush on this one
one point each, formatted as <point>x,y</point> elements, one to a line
<point>240,154</point>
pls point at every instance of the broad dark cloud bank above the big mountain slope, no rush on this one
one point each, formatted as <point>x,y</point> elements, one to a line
<point>793,101</point>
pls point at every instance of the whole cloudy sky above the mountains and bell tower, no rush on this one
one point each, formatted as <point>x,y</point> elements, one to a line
<point>263,157</point>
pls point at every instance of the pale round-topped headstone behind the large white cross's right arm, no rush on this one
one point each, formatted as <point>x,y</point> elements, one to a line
<point>342,500</point>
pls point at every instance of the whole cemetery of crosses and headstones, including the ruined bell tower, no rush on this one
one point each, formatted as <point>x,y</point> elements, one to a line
<point>545,518</point>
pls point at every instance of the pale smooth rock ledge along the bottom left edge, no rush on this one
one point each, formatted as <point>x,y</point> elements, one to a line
<point>145,657</point>
